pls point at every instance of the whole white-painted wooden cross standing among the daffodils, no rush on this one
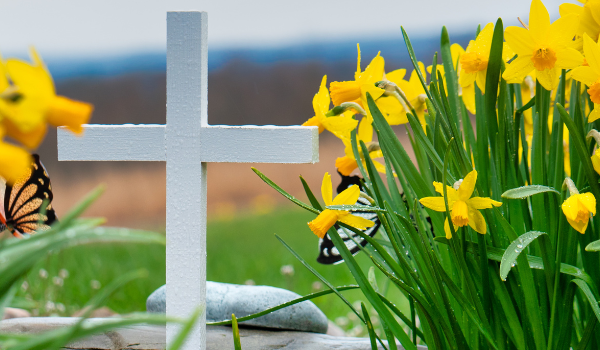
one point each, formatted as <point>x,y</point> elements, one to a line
<point>187,143</point>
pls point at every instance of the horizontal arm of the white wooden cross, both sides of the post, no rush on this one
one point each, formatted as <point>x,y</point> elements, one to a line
<point>219,143</point>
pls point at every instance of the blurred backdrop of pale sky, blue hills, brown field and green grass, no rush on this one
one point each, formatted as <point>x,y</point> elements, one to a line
<point>266,61</point>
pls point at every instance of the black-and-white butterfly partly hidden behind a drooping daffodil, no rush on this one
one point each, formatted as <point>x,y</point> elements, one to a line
<point>328,253</point>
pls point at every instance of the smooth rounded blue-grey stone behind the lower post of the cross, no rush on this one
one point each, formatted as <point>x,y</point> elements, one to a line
<point>224,299</point>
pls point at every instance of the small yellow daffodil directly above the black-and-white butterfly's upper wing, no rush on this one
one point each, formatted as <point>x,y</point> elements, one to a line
<point>346,164</point>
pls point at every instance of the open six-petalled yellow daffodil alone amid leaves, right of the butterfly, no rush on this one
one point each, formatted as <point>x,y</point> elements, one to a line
<point>464,209</point>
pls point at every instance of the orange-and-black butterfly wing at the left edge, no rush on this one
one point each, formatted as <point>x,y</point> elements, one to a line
<point>24,199</point>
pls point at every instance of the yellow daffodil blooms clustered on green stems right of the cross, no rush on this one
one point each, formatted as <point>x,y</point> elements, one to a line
<point>536,52</point>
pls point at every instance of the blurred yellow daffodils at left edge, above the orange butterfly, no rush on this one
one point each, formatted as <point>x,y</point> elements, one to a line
<point>28,102</point>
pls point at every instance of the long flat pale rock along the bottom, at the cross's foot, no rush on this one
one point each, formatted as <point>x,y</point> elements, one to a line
<point>217,337</point>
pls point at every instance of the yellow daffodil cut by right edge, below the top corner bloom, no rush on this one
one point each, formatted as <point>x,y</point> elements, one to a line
<point>590,74</point>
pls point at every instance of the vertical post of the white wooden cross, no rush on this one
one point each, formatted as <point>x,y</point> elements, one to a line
<point>187,80</point>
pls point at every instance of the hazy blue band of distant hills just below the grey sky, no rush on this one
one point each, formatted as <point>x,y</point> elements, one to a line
<point>326,53</point>
